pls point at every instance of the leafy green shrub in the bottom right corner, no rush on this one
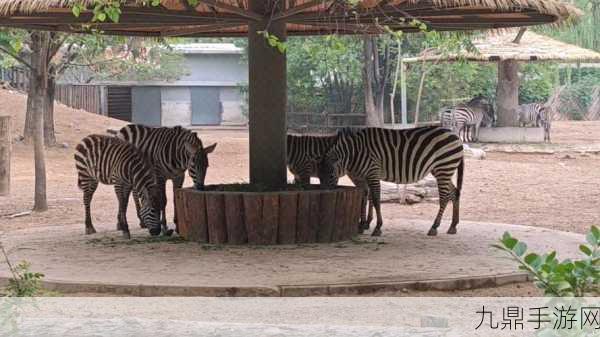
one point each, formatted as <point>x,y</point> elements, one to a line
<point>565,278</point>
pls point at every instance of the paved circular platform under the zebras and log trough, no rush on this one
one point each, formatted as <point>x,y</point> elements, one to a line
<point>404,257</point>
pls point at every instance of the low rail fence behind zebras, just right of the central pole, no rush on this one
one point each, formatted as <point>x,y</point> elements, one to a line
<point>312,122</point>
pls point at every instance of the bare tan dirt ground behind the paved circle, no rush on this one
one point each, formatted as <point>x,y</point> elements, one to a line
<point>557,191</point>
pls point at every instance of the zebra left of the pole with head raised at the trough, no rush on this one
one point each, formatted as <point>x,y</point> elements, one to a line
<point>171,150</point>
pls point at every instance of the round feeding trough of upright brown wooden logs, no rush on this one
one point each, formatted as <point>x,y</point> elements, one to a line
<point>268,218</point>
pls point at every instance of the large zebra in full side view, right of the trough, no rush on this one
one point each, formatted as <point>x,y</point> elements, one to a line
<point>402,157</point>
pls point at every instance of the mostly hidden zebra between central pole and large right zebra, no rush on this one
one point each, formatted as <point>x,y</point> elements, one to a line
<point>304,155</point>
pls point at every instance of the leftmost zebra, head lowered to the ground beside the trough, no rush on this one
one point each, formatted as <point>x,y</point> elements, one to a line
<point>111,161</point>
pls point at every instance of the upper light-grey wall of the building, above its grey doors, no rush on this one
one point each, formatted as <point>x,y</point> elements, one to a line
<point>215,67</point>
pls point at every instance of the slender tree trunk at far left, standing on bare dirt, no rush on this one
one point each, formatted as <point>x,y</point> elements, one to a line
<point>38,83</point>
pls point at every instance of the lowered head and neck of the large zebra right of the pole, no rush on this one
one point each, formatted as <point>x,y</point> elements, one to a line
<point>333,164</point>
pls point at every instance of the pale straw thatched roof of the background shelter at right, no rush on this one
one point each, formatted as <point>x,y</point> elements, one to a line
<point>532,47</point>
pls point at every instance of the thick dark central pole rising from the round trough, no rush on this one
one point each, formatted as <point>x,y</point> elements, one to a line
<point>267,87</point>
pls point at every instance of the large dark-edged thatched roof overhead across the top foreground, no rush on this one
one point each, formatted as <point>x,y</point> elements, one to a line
<point>303,17</point>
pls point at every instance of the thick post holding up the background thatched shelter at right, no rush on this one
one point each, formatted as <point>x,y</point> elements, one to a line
<point>507,93</point>
